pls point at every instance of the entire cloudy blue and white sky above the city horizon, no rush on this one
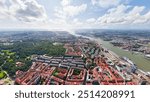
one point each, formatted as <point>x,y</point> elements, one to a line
<point>74,14</point>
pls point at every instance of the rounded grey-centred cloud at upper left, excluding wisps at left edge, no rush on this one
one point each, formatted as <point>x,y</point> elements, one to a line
<point>27,10</point>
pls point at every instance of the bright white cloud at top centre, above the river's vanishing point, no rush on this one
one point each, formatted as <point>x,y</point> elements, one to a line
<point>65,15</point>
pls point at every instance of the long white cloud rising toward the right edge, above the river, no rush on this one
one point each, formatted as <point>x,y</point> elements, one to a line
<point>122,15</point>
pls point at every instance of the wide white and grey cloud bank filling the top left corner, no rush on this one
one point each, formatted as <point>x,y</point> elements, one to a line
<point>22,10</point>
